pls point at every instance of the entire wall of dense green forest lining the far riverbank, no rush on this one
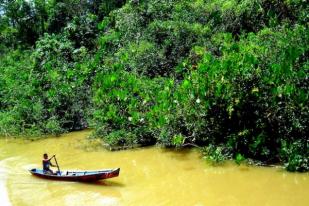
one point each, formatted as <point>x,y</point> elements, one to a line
<point>227,75</point>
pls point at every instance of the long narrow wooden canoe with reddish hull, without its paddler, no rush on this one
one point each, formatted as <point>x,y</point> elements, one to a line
<point>83,176</point>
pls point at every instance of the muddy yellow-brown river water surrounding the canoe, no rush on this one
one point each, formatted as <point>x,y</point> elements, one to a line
<point>148,176</point>
